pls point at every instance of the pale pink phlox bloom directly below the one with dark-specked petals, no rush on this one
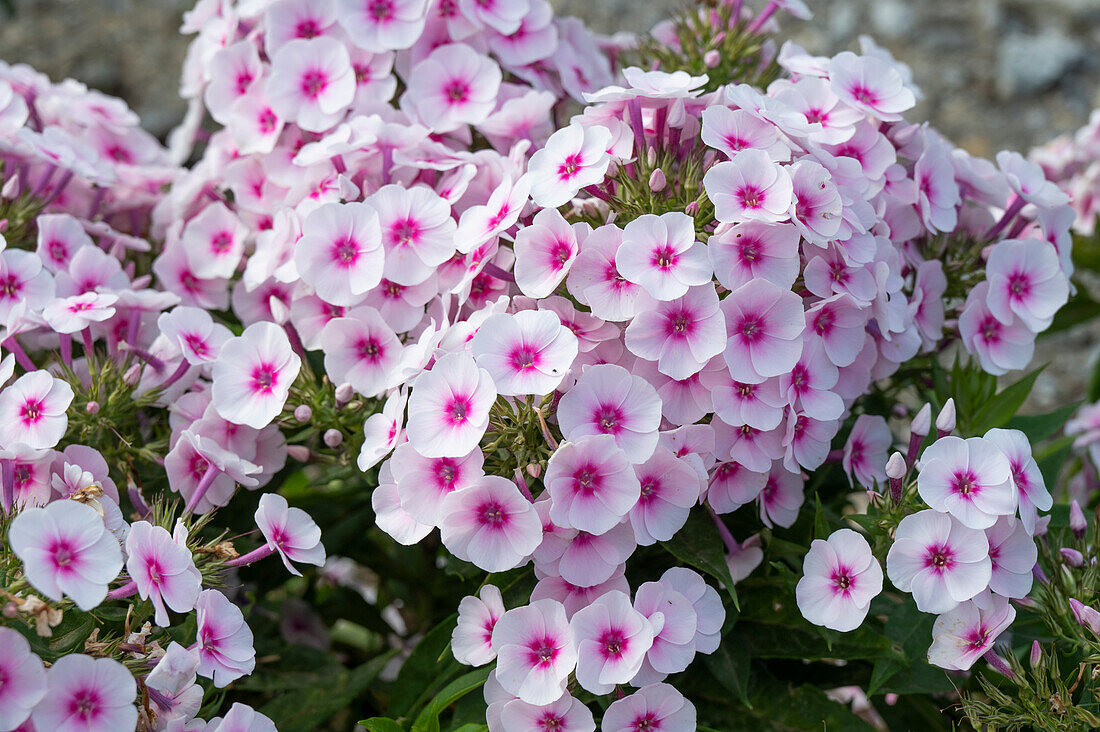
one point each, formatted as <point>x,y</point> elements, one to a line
<point>765,325</point>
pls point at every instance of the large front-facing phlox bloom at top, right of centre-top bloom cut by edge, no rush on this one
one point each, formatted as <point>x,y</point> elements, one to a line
<point>454,86</point>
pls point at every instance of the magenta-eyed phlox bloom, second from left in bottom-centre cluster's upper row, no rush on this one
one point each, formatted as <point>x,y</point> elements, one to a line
<point>535,652</point>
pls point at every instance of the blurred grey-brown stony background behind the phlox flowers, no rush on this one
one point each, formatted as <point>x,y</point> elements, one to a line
<point>996,74</point>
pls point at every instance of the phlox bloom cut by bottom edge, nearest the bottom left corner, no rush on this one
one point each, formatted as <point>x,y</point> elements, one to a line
<point>89,695</point>
